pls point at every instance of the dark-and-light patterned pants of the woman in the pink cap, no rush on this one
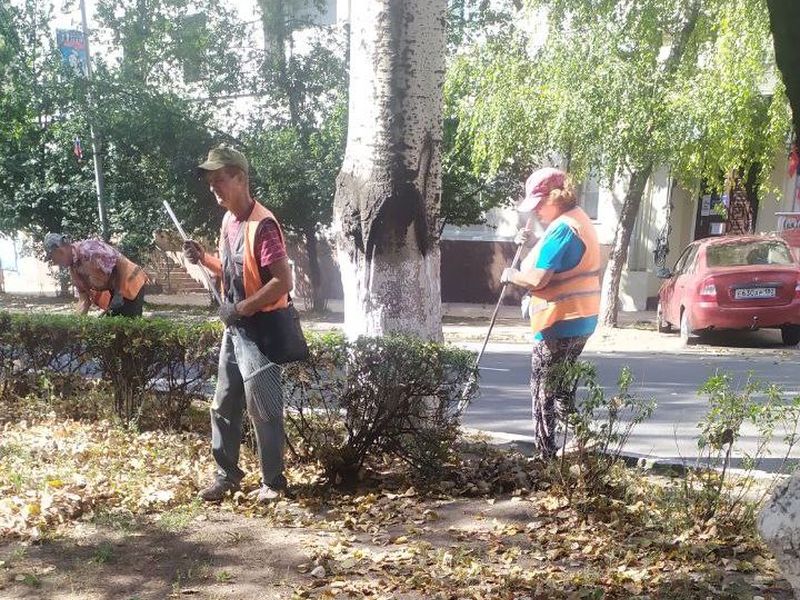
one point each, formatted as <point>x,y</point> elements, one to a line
<point>553,395</point>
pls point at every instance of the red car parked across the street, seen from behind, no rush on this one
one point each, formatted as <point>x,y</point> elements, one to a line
<point>732,282</point>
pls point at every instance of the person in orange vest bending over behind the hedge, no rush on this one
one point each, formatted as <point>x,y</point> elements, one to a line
<point>101,274</point>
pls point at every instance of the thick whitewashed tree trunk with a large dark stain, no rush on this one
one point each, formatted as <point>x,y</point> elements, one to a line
<point>386,209</point>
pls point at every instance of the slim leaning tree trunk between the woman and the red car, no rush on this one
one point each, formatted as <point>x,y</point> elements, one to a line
<point>609,300</point>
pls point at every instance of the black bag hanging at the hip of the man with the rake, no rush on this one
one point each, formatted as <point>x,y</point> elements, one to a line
<point>279,335</point>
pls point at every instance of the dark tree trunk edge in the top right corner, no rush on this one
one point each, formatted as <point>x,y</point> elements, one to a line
<point>784,19</point>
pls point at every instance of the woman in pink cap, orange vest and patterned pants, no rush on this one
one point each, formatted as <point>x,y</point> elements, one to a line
<point>562,276</point>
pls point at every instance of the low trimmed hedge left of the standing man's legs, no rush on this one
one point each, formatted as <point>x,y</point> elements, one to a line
<point>145,362</point>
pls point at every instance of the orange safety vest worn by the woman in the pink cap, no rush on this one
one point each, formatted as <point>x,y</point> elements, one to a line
<point>573,294</point>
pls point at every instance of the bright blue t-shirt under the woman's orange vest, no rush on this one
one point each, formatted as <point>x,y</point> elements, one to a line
<point>561,251</point>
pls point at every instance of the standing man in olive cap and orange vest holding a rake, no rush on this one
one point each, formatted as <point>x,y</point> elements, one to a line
<point>256,278</point>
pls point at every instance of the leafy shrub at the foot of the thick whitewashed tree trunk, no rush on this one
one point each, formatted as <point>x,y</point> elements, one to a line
<point>395,395</point>
